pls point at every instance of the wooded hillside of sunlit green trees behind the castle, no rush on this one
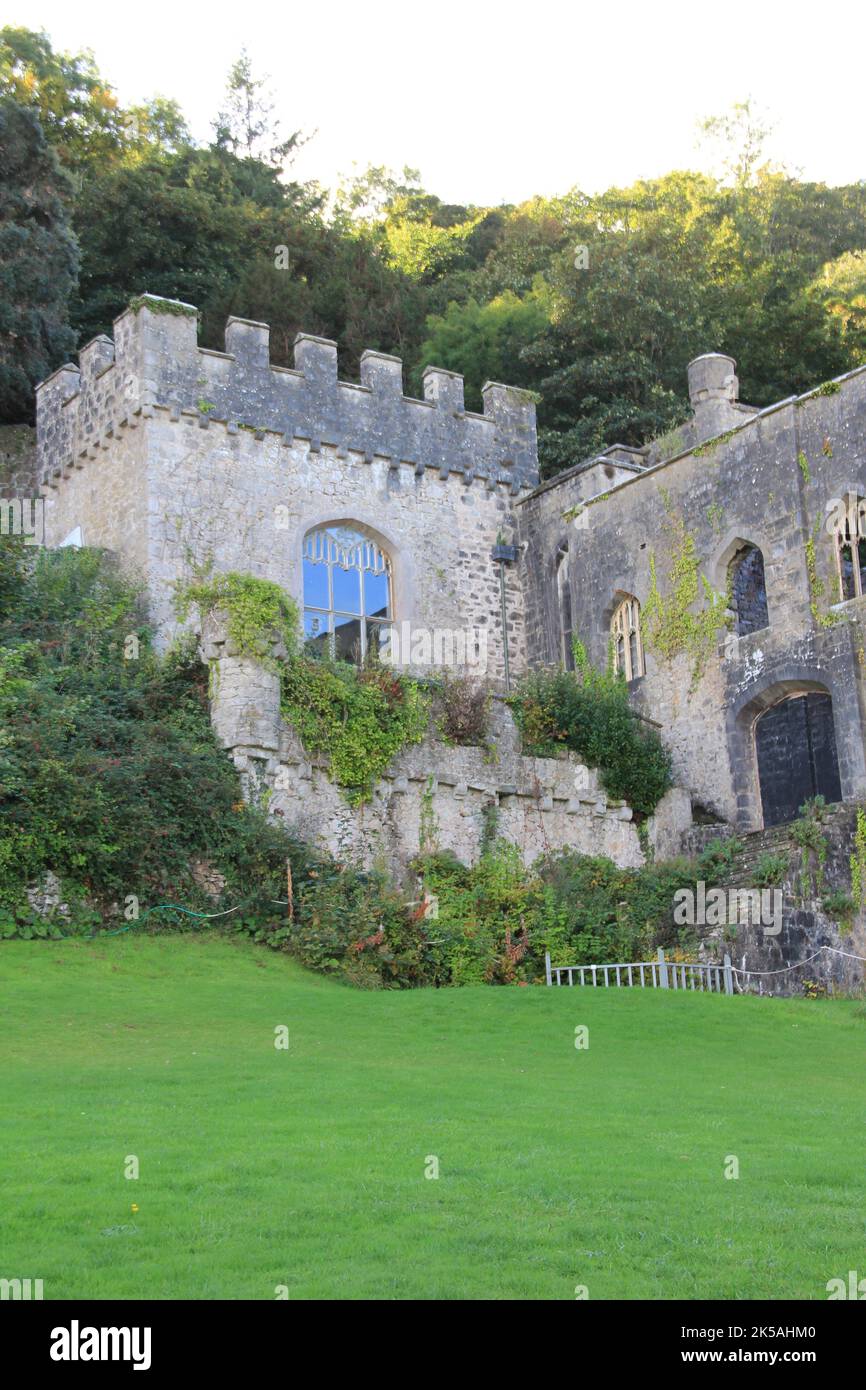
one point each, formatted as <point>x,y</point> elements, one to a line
<point>596,304</point>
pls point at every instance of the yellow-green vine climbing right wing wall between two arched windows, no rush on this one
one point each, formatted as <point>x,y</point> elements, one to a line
<point>669,621</point>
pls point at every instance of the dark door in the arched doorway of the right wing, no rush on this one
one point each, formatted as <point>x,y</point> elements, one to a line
<point>797,757</point>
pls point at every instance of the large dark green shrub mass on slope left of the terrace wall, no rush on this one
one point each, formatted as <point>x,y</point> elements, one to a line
<point>111,774</point>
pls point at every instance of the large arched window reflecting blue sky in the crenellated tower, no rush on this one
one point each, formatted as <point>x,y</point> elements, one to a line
<point>347,591</point>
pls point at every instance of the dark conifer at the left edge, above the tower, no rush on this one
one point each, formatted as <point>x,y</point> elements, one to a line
<point>38,262</point>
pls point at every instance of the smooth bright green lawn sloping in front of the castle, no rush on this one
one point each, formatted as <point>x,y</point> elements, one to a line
<point>307,1167</point>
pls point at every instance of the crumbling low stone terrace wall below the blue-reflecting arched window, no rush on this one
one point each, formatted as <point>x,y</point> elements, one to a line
<point>433,793</point>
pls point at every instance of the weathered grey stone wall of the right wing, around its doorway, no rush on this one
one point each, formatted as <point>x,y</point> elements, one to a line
<point>768,482</point>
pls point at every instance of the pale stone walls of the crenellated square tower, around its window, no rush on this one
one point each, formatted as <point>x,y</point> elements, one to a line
<point>174,457</point>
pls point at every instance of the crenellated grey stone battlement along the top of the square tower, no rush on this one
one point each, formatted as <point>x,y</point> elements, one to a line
<point>155,361</point>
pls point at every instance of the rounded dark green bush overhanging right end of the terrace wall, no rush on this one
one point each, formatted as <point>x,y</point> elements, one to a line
<point>589,712</point>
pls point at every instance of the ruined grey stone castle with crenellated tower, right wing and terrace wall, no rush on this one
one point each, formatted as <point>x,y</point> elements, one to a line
<point>724,568</point>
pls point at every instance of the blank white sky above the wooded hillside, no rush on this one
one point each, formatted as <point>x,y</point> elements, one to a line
<point>496,101</point>
